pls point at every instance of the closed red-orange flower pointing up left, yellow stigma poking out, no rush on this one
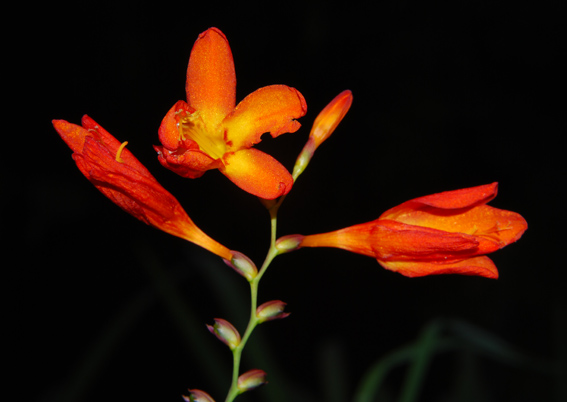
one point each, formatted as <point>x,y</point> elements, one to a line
<point>121,177</point>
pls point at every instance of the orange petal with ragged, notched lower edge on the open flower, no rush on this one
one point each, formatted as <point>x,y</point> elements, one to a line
<point>270,109</point>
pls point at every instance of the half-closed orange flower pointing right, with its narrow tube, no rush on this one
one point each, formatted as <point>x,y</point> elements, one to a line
<point>445,233</point>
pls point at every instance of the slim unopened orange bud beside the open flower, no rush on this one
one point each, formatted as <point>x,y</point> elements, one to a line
<point>323,126</point>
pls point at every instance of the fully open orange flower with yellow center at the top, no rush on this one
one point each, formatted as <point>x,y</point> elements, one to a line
<point>209,132</point>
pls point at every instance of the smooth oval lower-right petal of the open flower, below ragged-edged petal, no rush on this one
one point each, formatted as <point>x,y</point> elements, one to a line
<point>257,173</point>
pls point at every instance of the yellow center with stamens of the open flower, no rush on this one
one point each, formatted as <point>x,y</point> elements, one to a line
<point>210,141</point>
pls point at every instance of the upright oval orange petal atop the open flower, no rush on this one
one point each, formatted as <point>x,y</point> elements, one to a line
<point>211,80</point>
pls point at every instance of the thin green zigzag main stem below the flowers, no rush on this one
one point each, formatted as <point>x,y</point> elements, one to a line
<point>233,392</point>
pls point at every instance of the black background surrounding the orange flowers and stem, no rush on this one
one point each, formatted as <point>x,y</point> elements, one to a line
<point>445,97</point>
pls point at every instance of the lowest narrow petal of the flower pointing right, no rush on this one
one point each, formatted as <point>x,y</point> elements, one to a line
<point>479,266</point>
